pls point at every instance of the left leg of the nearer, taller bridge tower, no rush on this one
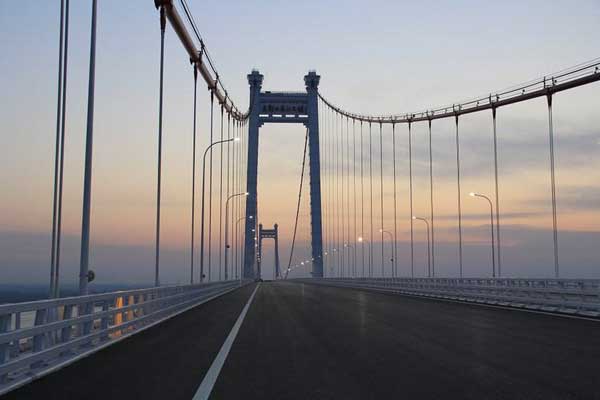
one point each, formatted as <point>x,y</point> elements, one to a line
<point>255,81</point>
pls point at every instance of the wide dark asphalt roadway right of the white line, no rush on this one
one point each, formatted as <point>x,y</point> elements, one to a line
<point>303,341</point>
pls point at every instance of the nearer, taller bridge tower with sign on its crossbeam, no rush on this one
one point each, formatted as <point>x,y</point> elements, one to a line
<point>278,107</point>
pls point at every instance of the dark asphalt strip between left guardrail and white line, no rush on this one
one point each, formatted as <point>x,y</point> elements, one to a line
<point>167,361</point>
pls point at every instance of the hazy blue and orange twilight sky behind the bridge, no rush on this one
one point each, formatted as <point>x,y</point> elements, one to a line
<point>387,57</point>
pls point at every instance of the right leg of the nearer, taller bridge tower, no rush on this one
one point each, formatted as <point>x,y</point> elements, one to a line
<point>312,83</point>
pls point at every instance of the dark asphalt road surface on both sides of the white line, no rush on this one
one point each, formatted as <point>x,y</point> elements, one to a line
<point>311,342</point>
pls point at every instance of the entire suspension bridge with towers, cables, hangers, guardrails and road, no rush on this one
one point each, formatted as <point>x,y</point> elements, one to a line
<point>354,318</point>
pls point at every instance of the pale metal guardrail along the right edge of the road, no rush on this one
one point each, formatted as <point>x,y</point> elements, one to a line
<point>568,296</point>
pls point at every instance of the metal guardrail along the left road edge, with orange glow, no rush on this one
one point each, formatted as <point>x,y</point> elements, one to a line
<point>39,337</point>
